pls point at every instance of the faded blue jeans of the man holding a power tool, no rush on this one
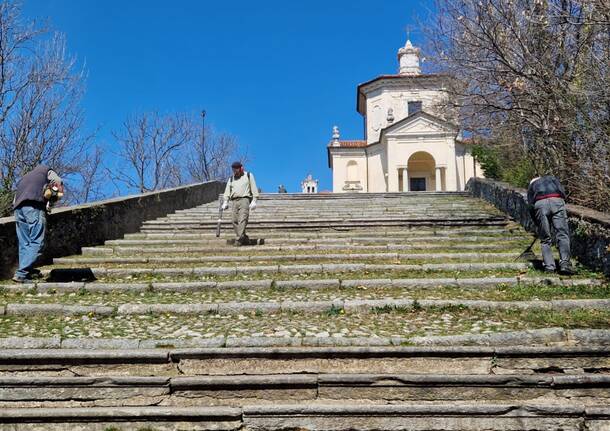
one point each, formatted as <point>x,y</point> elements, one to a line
<point>30,223</point>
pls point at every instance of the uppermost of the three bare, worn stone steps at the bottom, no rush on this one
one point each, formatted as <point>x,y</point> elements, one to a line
<point>88,359</point>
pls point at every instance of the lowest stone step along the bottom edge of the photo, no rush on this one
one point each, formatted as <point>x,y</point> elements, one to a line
<point>311,416</point>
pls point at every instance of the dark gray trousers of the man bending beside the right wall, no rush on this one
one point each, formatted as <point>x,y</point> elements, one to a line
<point>552,211</point>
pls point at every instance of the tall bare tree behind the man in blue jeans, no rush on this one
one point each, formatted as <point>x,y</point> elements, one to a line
<point>40,115</point>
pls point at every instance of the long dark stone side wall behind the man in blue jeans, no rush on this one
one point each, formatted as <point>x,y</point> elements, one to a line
<point>70,228</point>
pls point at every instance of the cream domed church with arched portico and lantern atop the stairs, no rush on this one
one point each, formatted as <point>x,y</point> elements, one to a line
<point>410,144</point>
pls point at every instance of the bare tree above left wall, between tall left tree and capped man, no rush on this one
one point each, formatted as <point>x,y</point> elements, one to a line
<point>151,146</point>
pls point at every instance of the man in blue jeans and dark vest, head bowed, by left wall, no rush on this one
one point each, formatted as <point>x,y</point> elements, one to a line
<point>30,218</point>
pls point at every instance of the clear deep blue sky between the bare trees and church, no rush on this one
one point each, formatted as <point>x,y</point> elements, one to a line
<point>276,74</point>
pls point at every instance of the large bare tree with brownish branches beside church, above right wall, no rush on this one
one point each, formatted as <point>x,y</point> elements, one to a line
<point>535,71</point>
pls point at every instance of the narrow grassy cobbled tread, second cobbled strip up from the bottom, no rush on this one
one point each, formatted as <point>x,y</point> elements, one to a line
<point>500,292</point>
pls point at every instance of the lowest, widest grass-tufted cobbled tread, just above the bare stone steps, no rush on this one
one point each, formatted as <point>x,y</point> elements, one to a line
<point>386,322</point>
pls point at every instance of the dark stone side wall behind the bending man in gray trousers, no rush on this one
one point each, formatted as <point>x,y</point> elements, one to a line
<point>590,230</point>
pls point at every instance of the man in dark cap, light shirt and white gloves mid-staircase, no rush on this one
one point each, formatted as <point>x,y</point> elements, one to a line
<point>241,190</point>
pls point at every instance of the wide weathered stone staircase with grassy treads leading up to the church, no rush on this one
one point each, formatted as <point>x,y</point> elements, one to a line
<point>347,312</point>
